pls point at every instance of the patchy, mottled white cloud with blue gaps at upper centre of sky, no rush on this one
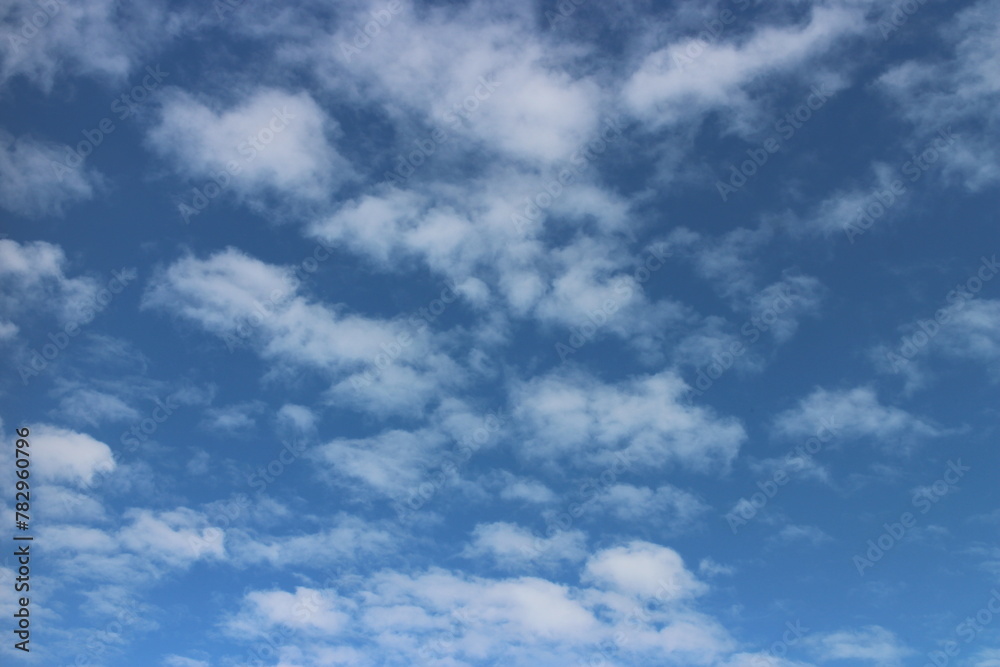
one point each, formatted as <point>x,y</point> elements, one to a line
<point>469,237</point>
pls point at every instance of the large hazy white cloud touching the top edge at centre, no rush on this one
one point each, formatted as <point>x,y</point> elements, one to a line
<point>430,66</point>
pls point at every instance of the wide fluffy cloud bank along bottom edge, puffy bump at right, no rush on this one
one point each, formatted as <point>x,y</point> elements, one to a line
<point>442,617</point>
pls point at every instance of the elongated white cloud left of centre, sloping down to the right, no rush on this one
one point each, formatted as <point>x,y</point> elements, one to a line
<point>248,302</point>
